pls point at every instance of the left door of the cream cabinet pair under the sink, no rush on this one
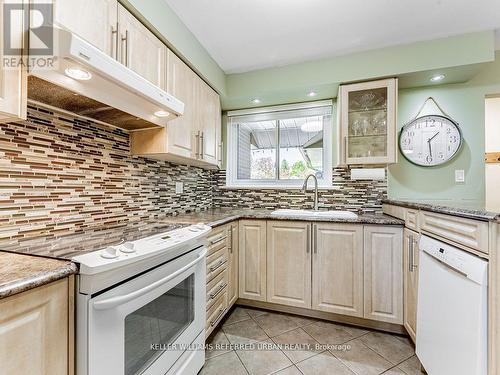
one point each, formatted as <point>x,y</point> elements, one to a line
<point>289,263</point>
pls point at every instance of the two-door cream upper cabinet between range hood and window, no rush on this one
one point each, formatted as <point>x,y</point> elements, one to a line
<point>193,138</point>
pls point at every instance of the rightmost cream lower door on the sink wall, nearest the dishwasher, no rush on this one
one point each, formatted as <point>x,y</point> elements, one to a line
<point>383,263</point>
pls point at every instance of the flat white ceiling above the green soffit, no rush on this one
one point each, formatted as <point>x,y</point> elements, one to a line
<point>244,35</point>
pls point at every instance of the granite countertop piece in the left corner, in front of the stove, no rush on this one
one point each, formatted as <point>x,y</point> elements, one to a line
<point>19,273</point>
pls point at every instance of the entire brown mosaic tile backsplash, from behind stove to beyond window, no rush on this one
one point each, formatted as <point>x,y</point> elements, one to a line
<point>61,174</point>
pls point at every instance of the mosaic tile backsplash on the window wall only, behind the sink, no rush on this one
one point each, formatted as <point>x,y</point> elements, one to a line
<point>360,196</point>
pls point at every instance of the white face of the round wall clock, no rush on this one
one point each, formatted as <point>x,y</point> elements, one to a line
<point>430,140</point>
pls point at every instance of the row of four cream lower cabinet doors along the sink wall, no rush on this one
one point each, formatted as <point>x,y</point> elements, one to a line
<point>346,269</point>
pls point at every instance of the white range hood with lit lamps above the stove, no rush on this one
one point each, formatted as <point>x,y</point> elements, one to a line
<point>88,82</point>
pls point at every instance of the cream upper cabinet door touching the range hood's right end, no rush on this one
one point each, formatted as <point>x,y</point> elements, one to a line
<point>181,83</point>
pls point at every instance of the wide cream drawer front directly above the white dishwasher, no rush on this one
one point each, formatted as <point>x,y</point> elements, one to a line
<point>460,231</point>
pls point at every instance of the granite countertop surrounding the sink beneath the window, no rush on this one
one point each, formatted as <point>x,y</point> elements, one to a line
<point>220,216</point>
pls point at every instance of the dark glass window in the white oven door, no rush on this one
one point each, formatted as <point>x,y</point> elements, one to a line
<point>159,322</point>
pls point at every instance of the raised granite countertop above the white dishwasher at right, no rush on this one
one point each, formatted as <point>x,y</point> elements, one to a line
<point>462,209</point>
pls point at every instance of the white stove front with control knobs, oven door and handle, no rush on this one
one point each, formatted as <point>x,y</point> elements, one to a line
<point>141,305</point>
